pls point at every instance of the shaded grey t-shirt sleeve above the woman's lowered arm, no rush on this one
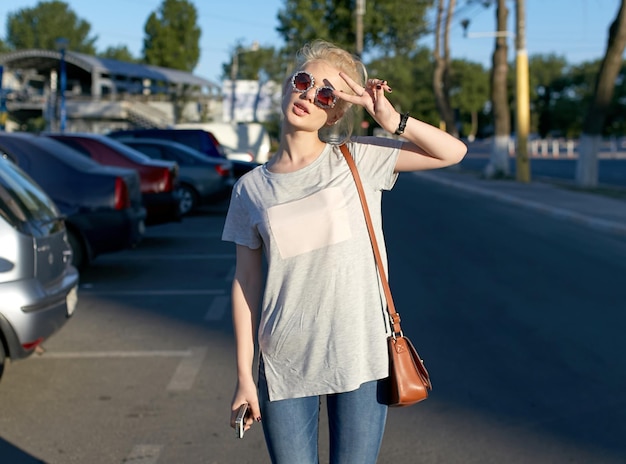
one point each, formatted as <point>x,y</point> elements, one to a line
<point>239,227</point>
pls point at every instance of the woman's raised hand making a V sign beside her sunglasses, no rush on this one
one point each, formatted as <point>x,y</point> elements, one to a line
<point>372,98</point>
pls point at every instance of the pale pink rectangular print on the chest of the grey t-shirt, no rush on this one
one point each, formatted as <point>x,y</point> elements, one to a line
<point>314,222</point>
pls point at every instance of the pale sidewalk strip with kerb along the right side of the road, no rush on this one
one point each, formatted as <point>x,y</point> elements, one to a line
<point>593,210</point>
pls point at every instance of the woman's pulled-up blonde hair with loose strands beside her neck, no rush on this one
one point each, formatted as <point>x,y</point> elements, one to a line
<point>320,50</point>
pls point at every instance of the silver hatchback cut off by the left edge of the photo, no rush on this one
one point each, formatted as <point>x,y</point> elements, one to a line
<point>38,284</point>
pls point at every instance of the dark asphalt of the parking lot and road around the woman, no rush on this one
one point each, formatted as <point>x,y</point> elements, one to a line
<point>518,316</point>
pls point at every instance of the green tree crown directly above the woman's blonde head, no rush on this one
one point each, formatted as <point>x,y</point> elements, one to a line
<point>390,26</point>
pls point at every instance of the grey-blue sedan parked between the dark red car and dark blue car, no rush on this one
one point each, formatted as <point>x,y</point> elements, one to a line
<point>202,180</point>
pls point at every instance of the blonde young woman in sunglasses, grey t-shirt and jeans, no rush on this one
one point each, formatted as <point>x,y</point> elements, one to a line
<point>322,324</point>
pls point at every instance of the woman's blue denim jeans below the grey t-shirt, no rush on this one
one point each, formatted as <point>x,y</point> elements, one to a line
<point>356,421</point>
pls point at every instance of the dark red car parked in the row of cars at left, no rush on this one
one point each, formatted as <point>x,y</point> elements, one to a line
<point>159,178</point>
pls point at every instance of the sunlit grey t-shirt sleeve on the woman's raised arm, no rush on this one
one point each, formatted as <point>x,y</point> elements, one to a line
<point>376,159</point>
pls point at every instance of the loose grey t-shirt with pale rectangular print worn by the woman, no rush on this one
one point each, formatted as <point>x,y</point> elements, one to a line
<point>323,324</point>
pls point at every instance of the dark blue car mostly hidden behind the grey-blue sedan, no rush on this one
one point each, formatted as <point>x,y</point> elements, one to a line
<point>198,139</point>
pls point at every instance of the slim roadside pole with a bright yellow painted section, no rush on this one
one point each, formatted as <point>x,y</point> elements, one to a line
<point>522,93</point>
